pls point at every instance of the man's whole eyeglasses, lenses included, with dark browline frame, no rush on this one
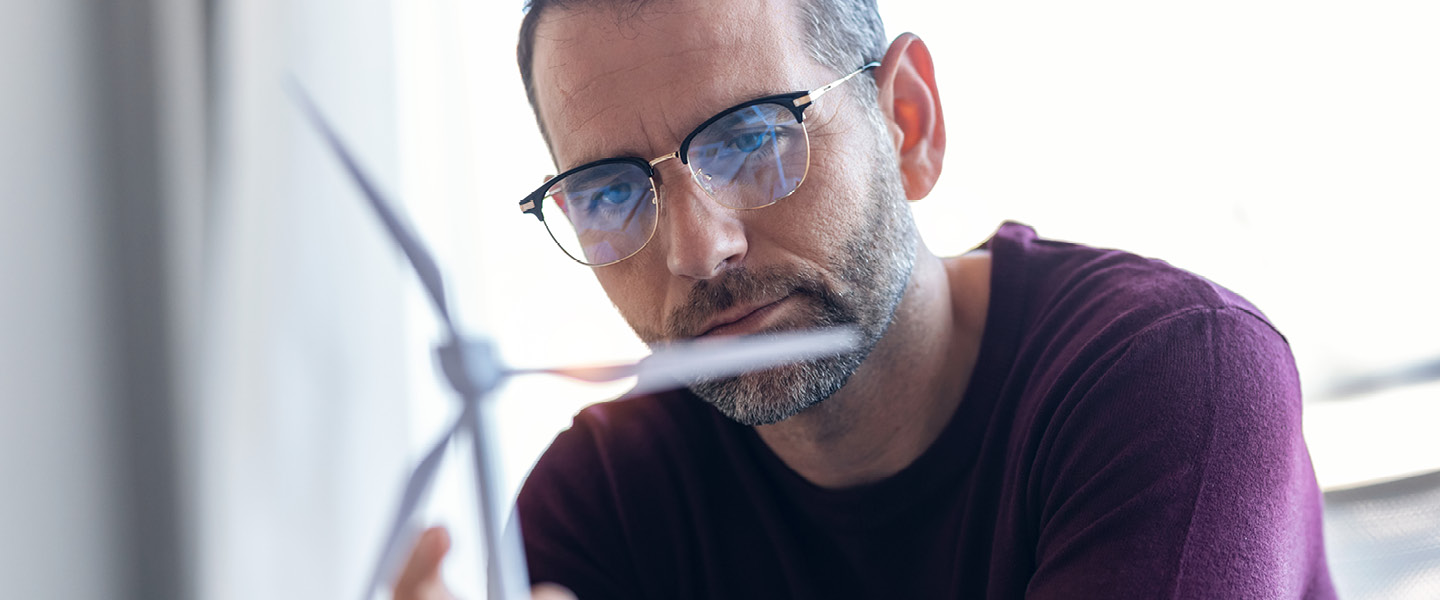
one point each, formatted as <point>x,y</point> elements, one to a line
<point>750,156</point>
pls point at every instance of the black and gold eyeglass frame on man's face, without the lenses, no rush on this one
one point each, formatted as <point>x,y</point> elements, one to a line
<point>797,103</point>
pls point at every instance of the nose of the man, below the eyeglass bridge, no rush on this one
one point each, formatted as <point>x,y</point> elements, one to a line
<point>702,238</point>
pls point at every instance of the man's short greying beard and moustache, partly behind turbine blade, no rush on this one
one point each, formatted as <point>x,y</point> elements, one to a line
<point>875,265</point>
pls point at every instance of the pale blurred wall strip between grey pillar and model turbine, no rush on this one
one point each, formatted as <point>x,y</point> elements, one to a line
<point>300,421</point>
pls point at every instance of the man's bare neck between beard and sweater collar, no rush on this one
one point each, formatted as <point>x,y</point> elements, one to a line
<point>902,398</point>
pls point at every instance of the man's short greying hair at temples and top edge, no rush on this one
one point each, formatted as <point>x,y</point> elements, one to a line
<point>840,35</point>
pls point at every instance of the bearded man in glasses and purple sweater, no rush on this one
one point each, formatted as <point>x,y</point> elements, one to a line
<point>1032,419</point>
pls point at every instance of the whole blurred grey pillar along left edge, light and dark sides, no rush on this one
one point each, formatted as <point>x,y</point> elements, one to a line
<point>90,506</point>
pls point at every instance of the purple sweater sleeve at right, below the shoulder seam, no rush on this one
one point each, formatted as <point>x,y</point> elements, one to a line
<point>1176,468</point>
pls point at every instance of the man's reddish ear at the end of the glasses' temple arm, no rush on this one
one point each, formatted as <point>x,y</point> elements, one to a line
<point>912,107</point>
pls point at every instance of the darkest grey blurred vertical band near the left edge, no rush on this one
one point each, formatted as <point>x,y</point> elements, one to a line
<point>132,205</point>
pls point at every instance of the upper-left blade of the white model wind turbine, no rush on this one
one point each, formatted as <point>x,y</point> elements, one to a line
<point>415,253</point>
